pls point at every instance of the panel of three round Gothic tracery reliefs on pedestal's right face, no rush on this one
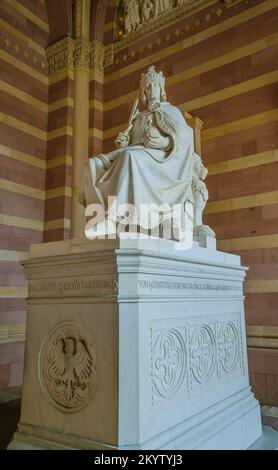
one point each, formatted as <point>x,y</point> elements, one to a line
<point>189,355</point>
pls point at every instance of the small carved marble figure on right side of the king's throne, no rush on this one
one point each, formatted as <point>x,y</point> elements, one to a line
<point>200,195</point>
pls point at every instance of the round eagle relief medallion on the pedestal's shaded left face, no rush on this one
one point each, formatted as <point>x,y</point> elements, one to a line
<point>68,367</point>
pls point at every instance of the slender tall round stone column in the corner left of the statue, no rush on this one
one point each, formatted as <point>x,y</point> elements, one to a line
<point>82,58</point>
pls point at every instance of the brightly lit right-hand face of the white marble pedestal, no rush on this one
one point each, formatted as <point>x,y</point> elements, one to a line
<point>190,319</point>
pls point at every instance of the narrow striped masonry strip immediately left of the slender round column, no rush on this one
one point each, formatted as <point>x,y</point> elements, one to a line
<point>59,153</point>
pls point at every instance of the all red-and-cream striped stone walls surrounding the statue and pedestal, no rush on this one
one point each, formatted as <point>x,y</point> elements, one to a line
<point>221,65</point>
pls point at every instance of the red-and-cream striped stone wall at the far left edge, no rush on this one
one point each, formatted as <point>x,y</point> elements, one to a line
<point>23,130</point>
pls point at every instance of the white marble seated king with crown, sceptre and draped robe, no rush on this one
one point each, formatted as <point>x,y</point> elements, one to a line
<point>153,159</point>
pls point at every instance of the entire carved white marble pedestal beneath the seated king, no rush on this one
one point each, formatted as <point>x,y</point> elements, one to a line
<point>133,344</point>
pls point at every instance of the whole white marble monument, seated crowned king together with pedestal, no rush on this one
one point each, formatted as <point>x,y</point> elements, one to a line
<point>148,340</point>
